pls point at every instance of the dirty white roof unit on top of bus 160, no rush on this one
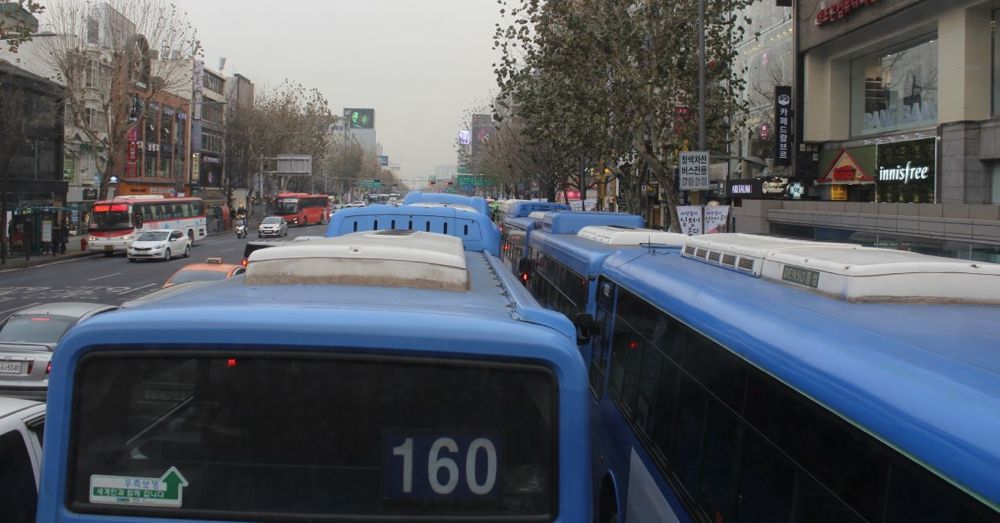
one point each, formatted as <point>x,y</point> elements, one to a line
<point>388,258</point>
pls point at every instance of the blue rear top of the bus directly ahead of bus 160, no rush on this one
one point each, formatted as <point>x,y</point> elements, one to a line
<point>474,228</point>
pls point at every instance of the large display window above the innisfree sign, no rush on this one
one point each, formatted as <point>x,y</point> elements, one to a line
<point>895,88</point>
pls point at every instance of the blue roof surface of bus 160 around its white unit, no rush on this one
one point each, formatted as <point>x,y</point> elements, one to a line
<point>237,305</point>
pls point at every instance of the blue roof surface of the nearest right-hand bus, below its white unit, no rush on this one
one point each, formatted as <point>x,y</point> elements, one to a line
<point>924,378</point>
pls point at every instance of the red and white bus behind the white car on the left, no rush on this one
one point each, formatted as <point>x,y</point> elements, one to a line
<point>115,223</point>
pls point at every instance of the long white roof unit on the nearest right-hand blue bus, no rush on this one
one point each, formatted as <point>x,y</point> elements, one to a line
<point>855,273</point>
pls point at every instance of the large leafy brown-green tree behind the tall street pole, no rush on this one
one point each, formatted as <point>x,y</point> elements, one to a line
<point>610,84</point>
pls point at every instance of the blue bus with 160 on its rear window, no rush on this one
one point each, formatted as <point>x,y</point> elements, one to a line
<point>387,375</point>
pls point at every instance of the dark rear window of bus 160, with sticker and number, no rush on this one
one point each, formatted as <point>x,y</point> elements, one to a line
<point>263,436</point>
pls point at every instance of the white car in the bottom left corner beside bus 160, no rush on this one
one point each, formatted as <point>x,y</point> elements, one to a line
<point>21,426</point>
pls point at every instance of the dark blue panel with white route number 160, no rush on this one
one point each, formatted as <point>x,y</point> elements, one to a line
<point>430,466</point>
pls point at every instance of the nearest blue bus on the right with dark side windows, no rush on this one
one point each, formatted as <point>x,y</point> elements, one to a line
<point>757,379</point>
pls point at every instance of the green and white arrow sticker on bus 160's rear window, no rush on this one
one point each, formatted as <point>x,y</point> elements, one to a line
<point>164,491</point>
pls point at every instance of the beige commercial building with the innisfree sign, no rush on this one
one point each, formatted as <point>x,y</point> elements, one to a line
<point>897,128</point>
